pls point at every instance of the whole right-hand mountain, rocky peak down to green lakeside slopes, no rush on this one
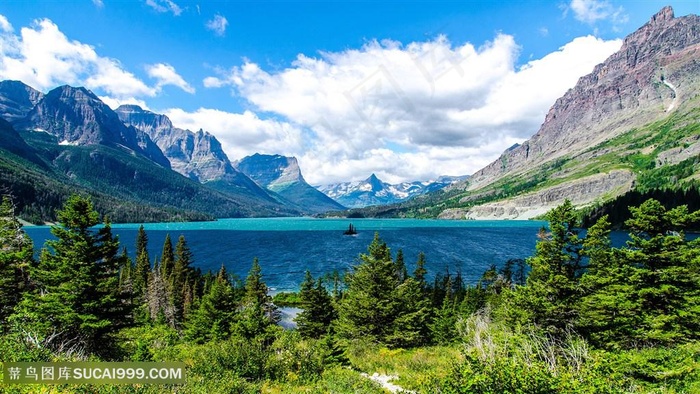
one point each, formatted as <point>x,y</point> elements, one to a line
<point>630,126</point>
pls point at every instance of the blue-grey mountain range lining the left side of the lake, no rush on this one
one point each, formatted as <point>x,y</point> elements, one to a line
<point>135,163</point>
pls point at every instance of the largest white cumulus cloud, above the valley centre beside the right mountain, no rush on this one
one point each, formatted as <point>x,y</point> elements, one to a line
<point>413,111</point>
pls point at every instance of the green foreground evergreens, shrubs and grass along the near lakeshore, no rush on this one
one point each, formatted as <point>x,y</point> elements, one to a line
<point>580,316</point>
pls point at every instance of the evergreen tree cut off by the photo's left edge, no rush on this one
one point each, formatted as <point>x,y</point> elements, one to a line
<point>16,255</point>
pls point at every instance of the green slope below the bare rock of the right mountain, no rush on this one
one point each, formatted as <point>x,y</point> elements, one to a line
<point>650,152</point>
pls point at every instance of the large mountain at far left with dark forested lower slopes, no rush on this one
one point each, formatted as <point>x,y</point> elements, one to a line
<point>71,142</point>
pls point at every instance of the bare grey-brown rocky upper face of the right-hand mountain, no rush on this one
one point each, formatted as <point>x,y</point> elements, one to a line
<point>653,74</point>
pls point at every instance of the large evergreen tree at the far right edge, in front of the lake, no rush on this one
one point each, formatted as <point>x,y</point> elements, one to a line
<point>666,281</point>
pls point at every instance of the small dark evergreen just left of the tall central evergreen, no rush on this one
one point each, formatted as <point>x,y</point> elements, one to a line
<point>317,308</point>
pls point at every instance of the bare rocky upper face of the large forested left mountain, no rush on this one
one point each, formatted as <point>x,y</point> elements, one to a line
<point>75,116</point>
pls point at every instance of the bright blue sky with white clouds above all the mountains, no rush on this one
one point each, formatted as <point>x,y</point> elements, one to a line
<point>407,90</point>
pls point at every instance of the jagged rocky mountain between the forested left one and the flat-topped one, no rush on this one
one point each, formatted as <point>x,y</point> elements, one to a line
<point>196,155</point>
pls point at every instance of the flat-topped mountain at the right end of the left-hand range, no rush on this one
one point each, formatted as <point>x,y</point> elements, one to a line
<point>282,175</point>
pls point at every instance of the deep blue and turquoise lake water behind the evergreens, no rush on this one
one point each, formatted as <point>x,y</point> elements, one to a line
<point>287,247</point>
